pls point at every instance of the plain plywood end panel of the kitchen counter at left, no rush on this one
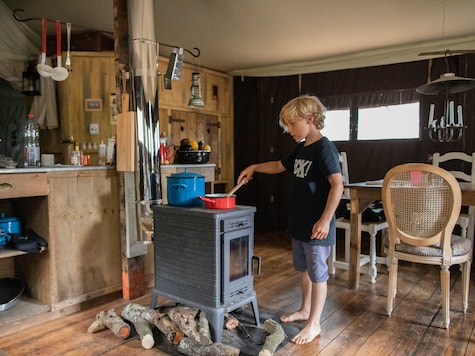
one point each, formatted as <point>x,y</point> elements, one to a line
<point>84,225</point>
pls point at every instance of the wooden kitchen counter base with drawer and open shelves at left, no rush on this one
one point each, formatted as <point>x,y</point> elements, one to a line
<point>77,212</point>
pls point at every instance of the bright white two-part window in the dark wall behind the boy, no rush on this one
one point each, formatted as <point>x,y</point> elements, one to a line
<point>400,121</point>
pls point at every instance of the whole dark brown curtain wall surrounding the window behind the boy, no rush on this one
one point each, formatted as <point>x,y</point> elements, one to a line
<point>258,137</point>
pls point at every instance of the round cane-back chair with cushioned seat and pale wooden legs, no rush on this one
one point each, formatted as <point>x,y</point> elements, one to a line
<point>422,203</point>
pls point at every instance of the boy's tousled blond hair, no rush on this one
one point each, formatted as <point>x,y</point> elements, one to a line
<point>302,107</point>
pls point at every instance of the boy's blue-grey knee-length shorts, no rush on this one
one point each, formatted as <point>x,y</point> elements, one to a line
<point>311,258</point>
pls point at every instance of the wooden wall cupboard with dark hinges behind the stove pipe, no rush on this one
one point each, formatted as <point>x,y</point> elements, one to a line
<point>212,124</point>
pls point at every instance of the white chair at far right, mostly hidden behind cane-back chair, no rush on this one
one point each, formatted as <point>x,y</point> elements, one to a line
<point>465,220</point>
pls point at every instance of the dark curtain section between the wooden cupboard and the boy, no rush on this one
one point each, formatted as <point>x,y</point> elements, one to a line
<point>259,138</point>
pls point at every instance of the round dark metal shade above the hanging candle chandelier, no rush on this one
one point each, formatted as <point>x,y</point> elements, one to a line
<point>448,83</point>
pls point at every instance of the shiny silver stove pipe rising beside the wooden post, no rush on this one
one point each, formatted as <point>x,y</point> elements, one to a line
<point>144,55</point>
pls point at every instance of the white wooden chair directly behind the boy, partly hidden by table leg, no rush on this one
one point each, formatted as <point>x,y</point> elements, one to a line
<point>372,228</point>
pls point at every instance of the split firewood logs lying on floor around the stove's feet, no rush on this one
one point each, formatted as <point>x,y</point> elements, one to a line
<point>185,327</point>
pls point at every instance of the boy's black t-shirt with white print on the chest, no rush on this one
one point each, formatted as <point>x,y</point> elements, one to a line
<point>310,166</point>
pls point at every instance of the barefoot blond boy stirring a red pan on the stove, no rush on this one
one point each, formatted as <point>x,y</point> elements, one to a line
<point>317,190</point>
